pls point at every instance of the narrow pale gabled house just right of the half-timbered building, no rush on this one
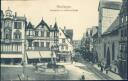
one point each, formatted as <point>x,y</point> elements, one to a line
<point>65,44</point>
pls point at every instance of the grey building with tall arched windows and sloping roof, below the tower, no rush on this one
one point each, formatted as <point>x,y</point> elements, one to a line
<point>110,45</point>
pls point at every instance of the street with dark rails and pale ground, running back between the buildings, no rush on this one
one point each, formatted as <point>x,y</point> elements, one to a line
<point>91,73</point>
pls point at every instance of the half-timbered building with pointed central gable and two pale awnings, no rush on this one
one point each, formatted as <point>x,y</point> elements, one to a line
<point>41,40</point>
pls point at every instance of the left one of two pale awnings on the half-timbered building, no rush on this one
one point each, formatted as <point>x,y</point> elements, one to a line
<point>33,55</point>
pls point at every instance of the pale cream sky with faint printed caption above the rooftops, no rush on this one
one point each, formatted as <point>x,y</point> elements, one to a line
<point>78,15</point>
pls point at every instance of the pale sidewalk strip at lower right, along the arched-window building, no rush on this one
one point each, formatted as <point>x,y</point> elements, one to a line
<point>110,74</point>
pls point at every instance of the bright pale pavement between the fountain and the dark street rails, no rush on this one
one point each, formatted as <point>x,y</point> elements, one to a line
<point>75,72</point>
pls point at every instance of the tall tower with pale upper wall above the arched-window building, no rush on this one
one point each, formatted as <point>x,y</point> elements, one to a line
<point>108,12</point>
